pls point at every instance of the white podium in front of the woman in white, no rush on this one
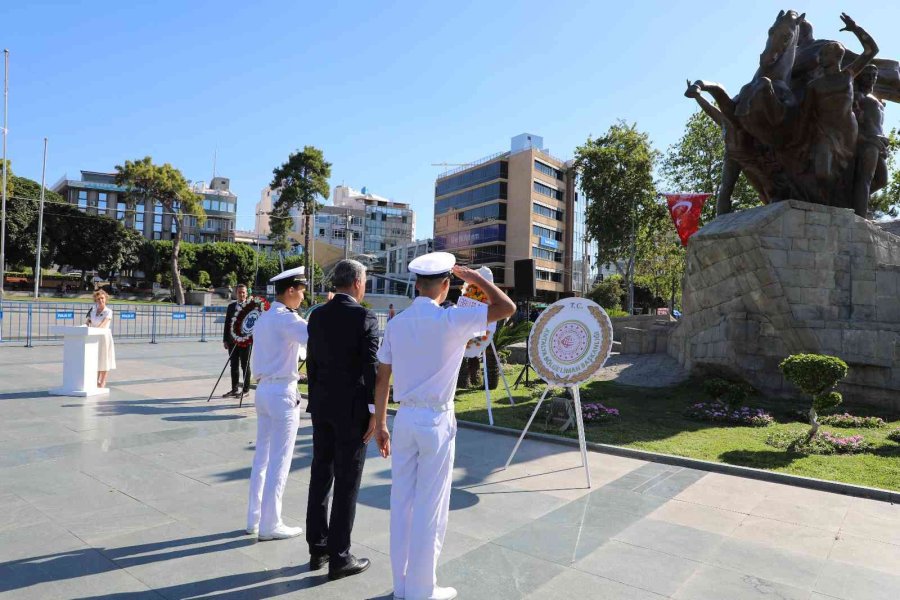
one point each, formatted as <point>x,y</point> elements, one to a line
<point>80,355</point>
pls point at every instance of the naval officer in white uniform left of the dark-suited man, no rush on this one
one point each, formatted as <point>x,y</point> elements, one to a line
<point>277,336</point>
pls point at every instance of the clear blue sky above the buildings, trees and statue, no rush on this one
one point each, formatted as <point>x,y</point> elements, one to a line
<point>385,89</point>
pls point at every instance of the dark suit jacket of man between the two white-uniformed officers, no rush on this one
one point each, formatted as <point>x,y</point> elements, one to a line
<point>341,359</point>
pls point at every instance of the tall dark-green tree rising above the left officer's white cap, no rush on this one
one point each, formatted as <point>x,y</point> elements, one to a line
<point>301,180</point>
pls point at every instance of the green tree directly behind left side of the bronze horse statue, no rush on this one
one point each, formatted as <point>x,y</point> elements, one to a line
<point>694,164</point>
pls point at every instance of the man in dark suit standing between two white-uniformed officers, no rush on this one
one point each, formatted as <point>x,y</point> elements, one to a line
<point>341,366</point>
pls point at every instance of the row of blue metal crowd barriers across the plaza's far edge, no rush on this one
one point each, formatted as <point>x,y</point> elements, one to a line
<point>29,322</point>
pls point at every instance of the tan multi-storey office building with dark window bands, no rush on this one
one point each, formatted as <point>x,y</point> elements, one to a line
<point>518,204</point>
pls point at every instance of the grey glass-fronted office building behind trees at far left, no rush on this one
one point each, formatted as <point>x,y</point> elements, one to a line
<point>97,193</point>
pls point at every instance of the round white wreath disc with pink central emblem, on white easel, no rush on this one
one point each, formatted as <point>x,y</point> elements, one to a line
<point>570,341</point>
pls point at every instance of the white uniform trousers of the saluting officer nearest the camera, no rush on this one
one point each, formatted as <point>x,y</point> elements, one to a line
<point>423,444</point>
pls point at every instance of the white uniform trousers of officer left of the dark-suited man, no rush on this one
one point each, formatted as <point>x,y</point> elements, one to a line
<point>277,419</point>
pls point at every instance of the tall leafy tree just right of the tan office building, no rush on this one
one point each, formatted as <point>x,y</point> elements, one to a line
<point>617,179</point>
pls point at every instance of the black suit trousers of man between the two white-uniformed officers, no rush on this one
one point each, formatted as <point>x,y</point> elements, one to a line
<point>339,456</point>
